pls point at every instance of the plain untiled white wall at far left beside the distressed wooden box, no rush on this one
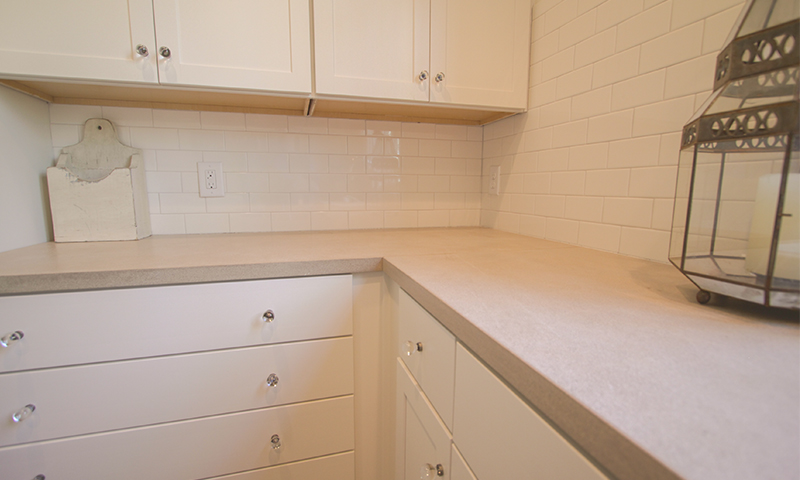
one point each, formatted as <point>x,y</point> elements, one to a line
<point>25,154</point>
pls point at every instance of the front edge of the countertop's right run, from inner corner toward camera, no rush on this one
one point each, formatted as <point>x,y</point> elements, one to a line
<point>612,452</point>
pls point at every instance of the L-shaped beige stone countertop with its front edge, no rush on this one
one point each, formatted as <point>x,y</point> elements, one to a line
<point>613,350</point>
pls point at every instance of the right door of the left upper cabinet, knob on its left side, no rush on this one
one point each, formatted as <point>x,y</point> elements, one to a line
<point>241,44</point>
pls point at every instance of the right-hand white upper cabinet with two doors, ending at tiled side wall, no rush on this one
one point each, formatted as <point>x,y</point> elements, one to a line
<point>465,52</point>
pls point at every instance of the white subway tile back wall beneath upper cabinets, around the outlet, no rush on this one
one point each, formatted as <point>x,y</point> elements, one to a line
<point>294,173</point>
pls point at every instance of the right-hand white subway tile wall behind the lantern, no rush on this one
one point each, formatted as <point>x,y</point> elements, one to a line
<point>593,161</point>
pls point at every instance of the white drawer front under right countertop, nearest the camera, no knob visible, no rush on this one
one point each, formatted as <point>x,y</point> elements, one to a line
<point>501,437</point>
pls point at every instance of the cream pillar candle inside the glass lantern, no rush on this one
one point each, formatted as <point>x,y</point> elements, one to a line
<point>787,261</point>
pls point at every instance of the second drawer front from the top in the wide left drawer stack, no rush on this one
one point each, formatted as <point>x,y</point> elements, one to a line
<point>101,397</point>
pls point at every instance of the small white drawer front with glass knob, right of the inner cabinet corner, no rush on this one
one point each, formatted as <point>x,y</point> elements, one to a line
<point>433,366</point>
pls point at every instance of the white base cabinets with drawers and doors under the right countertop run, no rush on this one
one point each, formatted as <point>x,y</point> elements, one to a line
<point>456,420</point>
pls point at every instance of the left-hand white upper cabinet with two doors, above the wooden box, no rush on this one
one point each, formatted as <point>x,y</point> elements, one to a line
<point>238,44</point>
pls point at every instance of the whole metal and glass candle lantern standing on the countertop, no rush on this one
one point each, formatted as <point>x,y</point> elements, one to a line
<point>735,228</point>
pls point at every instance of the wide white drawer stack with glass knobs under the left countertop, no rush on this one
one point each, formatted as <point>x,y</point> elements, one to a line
<point>246,380</point>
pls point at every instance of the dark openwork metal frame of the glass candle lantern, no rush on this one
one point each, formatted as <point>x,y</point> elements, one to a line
<point>763,64</point>
